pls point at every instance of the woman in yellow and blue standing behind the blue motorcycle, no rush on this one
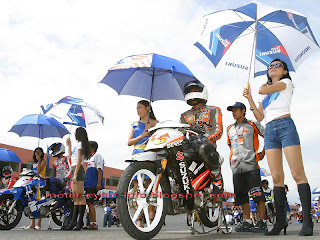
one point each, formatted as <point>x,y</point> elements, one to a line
<point>39,166</point>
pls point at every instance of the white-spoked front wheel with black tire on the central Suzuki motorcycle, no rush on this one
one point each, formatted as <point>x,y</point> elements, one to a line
<point>128,205</point>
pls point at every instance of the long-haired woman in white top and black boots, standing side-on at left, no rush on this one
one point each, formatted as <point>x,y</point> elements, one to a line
<point>77,156</point>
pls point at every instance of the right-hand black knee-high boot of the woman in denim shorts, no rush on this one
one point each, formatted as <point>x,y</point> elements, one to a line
<point>305,198</point>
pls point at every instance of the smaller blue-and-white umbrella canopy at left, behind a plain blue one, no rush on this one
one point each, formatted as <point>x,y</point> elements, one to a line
<point>74,111</point>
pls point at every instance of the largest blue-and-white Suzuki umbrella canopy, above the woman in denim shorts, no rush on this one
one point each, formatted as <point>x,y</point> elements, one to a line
<point>230,38</point>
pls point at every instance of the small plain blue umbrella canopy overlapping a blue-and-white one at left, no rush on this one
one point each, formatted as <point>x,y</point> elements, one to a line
<point>37,125</point>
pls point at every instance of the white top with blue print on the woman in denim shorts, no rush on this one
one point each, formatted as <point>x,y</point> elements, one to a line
<point>277,104</point>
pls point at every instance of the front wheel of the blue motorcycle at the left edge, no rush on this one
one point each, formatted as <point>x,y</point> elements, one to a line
<point>9,221</point>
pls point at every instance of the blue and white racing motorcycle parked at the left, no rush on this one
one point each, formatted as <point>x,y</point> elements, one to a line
<point>28,195</point>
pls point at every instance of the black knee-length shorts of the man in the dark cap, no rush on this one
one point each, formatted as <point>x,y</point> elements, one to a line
<point>247,182</point>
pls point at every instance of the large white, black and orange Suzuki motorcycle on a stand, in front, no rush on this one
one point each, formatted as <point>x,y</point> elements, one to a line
<point>166,180</point>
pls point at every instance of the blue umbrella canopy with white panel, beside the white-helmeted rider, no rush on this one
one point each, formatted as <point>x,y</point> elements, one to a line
<point>149,76</point>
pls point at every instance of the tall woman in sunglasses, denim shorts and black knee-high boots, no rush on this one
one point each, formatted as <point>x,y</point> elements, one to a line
<point>281,133</point>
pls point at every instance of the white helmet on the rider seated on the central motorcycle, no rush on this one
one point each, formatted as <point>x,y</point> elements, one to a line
<point>194,98</point>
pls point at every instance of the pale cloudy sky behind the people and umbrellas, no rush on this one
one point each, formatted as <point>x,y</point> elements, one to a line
<point>52,49</point>
